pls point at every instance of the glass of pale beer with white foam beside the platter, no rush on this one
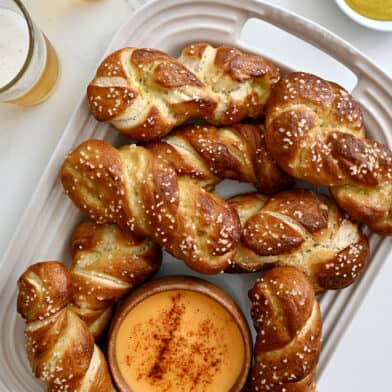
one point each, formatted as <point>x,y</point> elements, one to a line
<point>29,66</point>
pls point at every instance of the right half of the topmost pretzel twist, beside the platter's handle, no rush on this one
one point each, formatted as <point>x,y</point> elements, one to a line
<point>240,82</point>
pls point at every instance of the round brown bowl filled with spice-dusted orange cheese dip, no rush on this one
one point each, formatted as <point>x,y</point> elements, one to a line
<point>179,334</point>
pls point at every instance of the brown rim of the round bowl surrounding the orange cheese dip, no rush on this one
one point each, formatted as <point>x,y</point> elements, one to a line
<point>180,283</point>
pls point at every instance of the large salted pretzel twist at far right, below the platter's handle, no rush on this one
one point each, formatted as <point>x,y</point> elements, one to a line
<point>315,132</point>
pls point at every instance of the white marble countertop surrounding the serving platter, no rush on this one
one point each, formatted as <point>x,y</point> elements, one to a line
<point>80,30</point>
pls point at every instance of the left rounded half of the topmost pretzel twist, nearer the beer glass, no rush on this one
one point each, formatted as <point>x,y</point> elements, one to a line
<point>144,93</point>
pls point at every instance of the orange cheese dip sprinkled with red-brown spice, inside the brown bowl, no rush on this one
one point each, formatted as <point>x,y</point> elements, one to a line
<point>179,340</point>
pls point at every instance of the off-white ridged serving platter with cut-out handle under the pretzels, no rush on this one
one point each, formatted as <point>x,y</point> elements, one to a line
<point>44,231</point>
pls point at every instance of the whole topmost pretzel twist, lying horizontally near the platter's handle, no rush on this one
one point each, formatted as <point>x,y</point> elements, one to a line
<point>145,93</point>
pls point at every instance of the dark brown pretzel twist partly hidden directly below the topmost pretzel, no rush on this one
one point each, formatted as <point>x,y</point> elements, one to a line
<point>209,155</point>
